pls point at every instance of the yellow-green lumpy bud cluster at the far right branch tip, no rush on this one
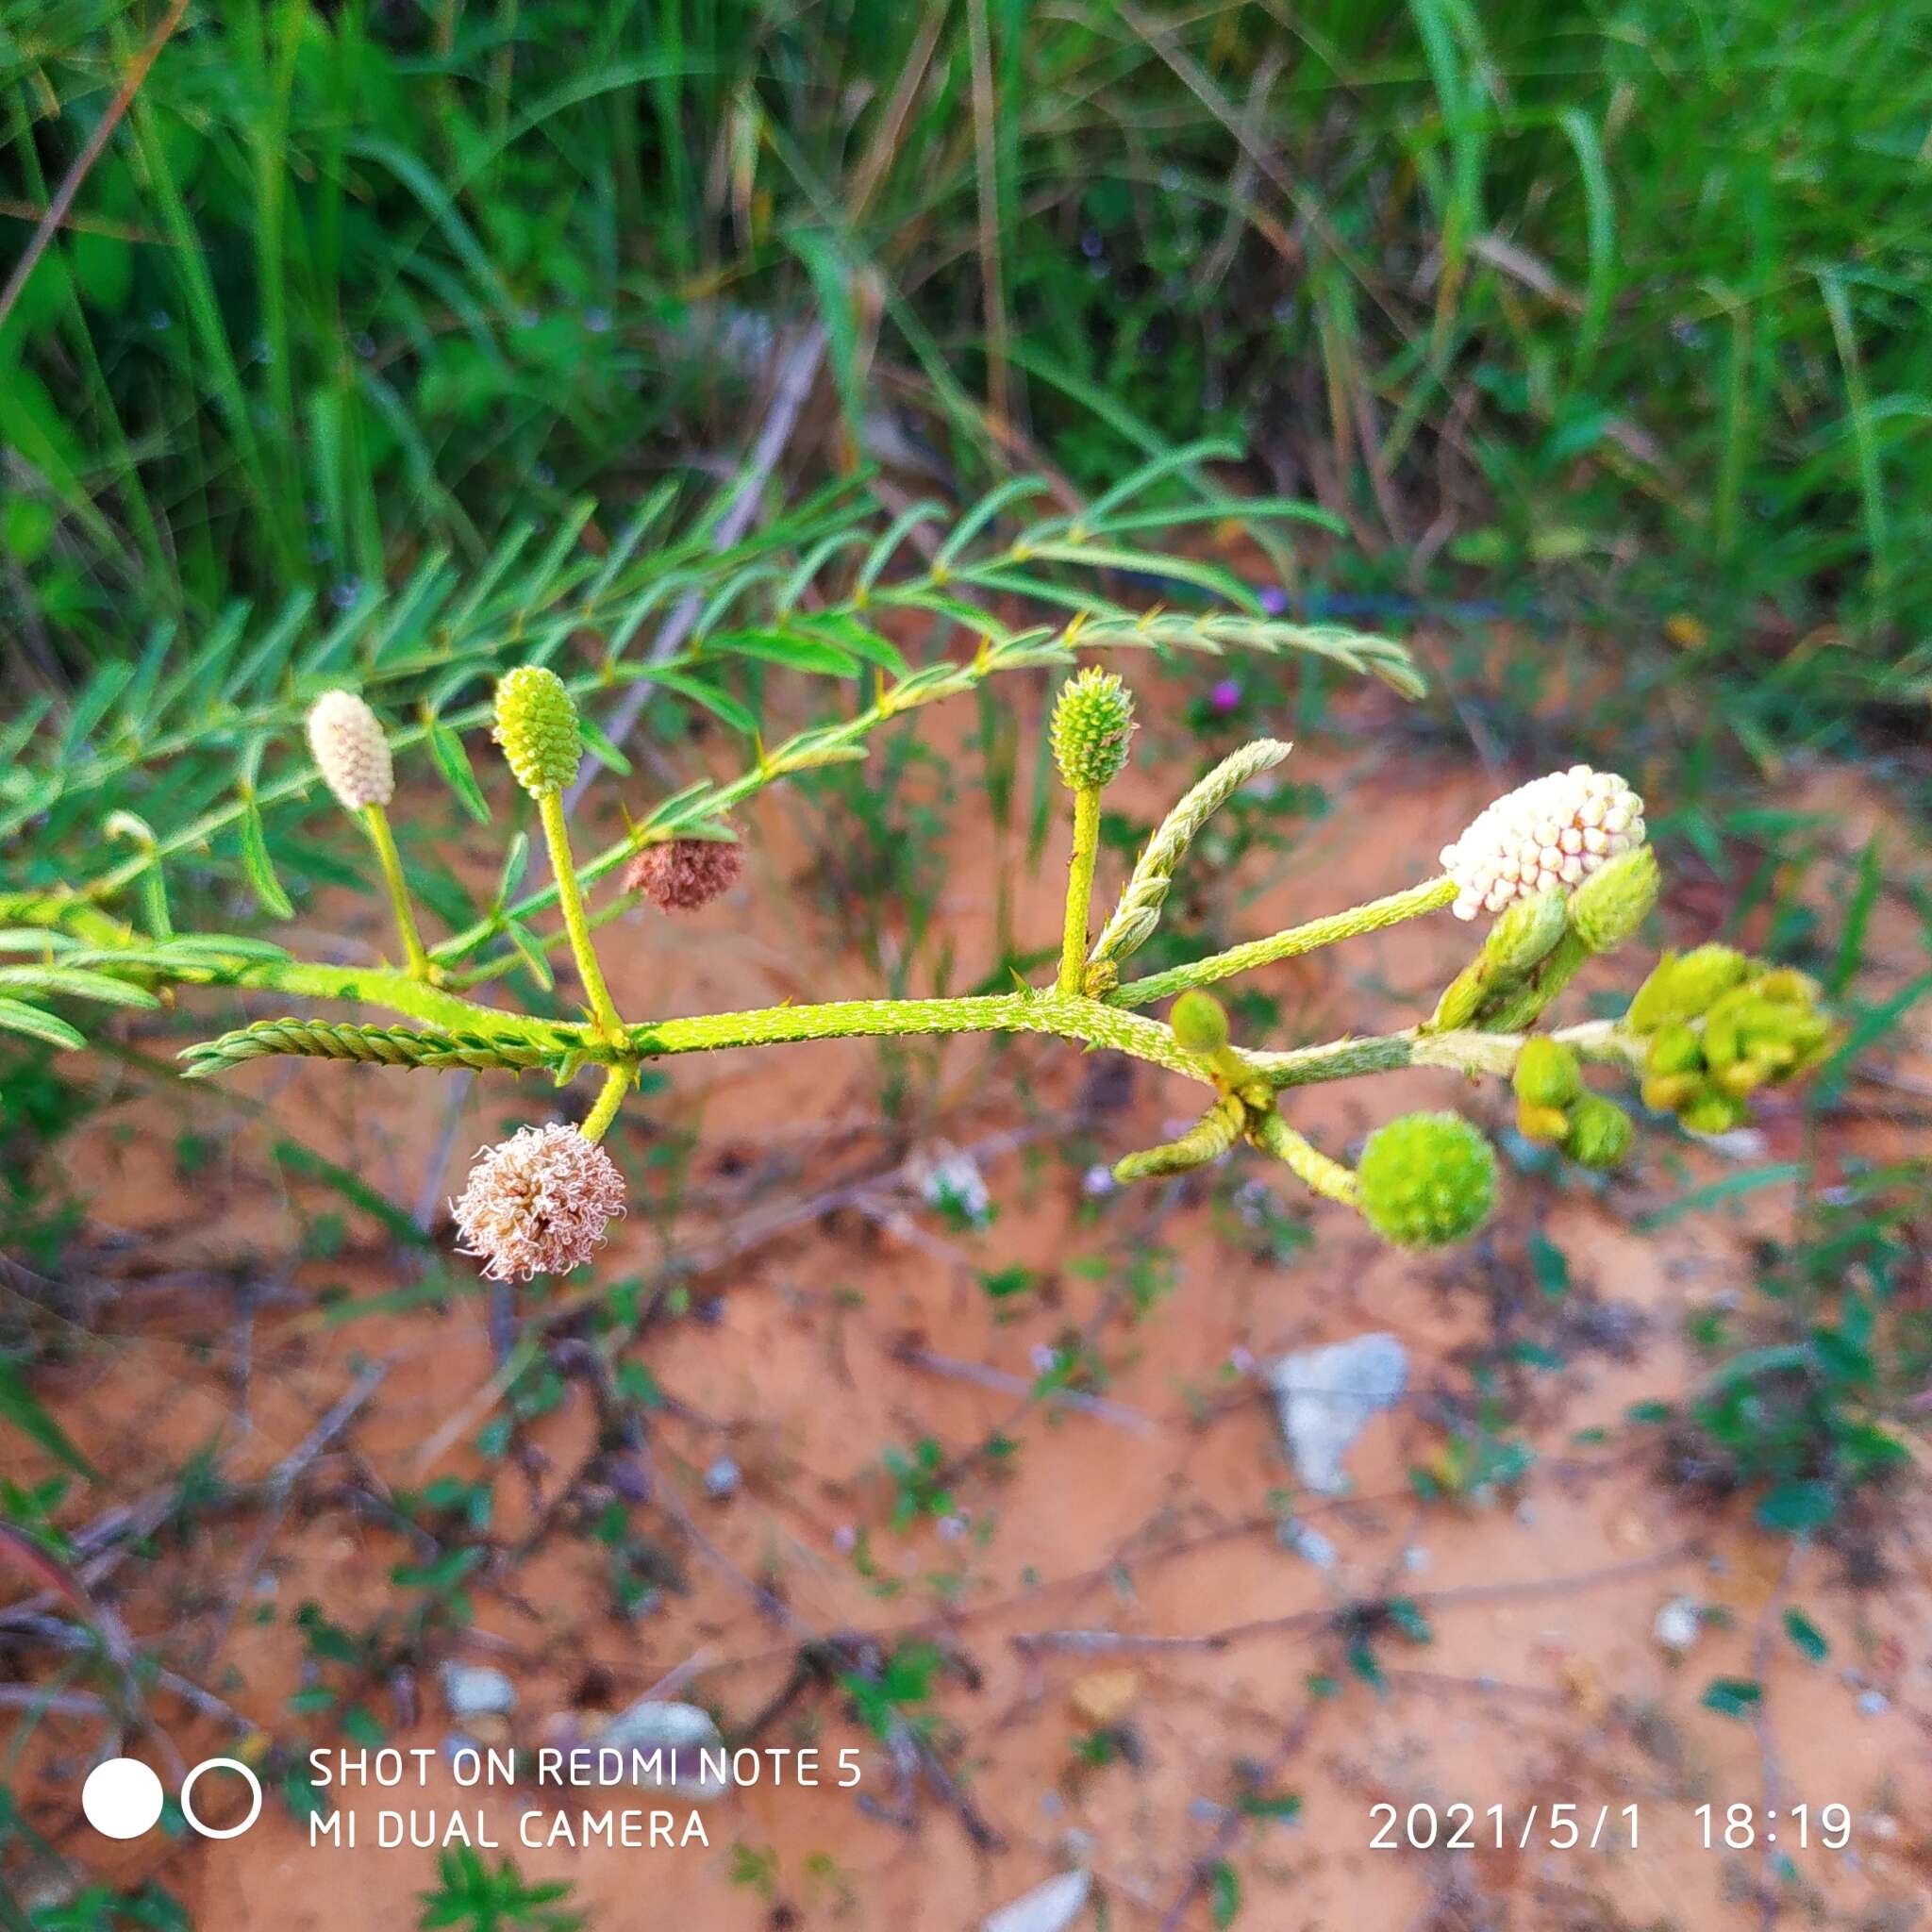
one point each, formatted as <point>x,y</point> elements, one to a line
<point>1719,1029</point>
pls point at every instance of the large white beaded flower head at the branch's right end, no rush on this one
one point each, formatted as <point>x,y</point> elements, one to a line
<point>1548,834</point>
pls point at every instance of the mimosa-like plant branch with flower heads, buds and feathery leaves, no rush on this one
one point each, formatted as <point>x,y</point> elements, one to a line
<point>1560,868</point>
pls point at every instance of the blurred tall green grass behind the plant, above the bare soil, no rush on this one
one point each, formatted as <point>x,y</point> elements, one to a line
<point>1610,310</point>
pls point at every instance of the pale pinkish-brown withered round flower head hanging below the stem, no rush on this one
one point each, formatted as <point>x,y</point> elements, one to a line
<point>538,1203</point>
